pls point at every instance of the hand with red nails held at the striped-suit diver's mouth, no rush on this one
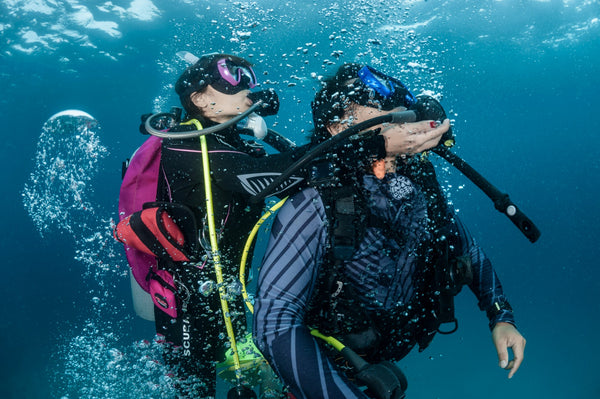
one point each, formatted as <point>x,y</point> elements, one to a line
<point>412,138</point>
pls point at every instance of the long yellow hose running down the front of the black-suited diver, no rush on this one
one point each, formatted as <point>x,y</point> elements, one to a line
<point>210,215</point>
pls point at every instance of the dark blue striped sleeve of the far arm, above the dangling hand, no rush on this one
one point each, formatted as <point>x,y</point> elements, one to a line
<point>485,285</point>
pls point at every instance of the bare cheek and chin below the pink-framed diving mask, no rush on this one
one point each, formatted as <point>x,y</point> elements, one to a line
<point>220,107</point>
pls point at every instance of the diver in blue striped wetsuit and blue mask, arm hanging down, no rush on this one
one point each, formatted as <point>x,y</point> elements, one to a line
<point>377,257</point>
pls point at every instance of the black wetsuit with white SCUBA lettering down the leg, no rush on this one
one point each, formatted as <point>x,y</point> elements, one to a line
<point>198,337</point>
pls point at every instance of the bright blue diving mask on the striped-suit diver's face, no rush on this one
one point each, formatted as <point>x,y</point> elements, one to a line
<point>390,91</point>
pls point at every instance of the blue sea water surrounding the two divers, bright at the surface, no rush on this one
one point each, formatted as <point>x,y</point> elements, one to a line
<point>520,79</point>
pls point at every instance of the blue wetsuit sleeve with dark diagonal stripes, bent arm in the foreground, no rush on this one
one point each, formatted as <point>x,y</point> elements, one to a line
<point>285,286</point>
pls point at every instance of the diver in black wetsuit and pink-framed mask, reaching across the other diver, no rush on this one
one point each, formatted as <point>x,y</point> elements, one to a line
<point>208,173</point>
